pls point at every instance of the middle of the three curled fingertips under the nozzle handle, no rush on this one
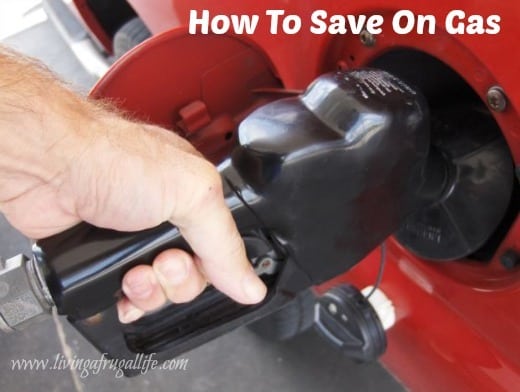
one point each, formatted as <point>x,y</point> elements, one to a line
<point>142,288</point>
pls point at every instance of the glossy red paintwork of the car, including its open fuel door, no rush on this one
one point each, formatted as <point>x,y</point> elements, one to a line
<point>458,326</point>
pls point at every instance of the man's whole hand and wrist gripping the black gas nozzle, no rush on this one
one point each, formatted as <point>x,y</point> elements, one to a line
<point>66,160</point>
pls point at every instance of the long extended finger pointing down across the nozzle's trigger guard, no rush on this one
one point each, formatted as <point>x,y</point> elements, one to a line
<point>211,231</point>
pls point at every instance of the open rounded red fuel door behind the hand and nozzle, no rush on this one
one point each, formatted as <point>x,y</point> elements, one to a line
<point>154,84</point>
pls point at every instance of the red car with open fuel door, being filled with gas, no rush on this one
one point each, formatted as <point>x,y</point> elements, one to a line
<point>451,285</point>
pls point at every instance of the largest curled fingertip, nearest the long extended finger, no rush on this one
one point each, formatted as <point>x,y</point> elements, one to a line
<point>179,277</point>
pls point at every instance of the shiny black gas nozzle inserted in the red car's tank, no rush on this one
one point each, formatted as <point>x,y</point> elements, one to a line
<point>315,183</point>
